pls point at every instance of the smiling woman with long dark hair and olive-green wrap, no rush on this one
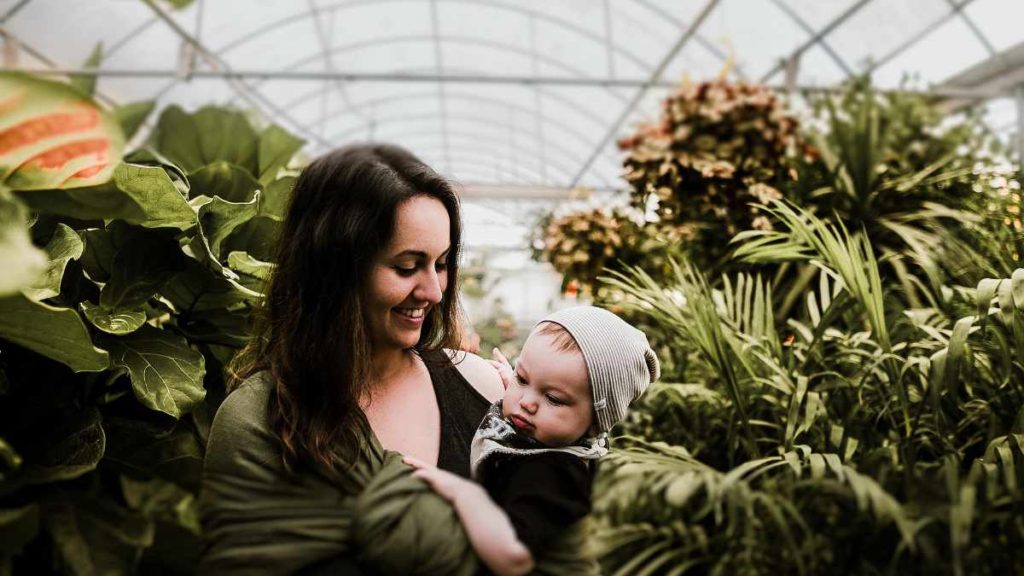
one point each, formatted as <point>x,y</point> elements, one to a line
<point>351,355</point>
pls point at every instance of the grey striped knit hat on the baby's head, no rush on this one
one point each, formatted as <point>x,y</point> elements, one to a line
<point>619,359</point>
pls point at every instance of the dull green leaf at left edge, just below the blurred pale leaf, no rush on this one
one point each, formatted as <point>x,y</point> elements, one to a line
<point>55,333</point>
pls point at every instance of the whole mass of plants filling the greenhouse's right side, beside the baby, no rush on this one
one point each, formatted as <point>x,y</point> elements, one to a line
<point>846,386</point>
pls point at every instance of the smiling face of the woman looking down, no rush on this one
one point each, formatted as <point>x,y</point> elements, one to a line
<point>410,275</point>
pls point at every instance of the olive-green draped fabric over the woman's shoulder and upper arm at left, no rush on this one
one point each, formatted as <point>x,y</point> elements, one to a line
<point>255,518</point>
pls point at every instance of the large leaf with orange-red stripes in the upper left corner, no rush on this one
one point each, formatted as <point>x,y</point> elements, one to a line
<point>54,137</point>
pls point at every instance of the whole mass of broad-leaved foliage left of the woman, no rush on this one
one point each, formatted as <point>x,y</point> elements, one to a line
<point>112,360</point>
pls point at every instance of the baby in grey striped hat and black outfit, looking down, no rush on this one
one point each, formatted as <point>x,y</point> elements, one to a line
<point>534,454</point>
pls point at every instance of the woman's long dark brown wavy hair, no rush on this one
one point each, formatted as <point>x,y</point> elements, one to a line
<point>312,334</point>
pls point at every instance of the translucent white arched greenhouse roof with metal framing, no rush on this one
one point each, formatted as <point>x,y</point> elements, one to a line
<point>517,100</point>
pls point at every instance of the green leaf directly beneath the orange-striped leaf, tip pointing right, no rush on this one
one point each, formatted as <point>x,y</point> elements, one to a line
<point>139,195</point>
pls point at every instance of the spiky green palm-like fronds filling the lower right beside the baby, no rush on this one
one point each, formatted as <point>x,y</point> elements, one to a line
<point>870,438</point>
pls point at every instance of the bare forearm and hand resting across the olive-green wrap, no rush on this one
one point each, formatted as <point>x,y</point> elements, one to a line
<point>488,527</point>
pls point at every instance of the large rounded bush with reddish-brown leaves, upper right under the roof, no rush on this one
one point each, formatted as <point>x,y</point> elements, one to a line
<point>718,149</point>
